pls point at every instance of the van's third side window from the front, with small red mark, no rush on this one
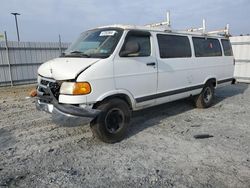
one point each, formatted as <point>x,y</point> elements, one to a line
<point>206,47</point>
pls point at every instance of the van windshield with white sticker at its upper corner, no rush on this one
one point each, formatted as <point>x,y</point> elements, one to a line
<point>97,43</point>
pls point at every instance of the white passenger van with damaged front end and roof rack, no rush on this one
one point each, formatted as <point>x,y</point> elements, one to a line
<point>110,71</point>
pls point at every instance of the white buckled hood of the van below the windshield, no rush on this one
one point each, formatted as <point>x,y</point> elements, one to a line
<point>65,68</point>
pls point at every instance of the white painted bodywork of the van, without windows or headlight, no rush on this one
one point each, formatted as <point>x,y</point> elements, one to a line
<point>132,77</point>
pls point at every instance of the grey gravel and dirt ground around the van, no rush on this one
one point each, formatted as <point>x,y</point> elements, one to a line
<point>160,150</point>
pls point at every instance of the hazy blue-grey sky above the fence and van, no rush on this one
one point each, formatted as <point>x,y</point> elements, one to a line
<point>43,20</point>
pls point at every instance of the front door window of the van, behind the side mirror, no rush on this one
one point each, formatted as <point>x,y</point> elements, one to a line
<point>142,39</point>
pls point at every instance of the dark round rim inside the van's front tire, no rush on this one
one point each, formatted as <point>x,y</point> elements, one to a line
<point>114,120</point>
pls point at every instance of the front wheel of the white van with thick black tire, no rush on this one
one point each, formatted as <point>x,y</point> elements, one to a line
<point>112,123</point>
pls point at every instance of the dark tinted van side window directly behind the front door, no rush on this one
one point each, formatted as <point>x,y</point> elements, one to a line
<point>173,46</point>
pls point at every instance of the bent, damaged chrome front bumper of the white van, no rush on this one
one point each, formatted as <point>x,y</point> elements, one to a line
<point>67,115</point>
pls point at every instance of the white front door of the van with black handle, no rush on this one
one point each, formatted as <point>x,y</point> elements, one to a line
<point>132,74</point>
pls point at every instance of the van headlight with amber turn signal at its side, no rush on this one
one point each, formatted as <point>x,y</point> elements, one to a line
<point>75,88</point>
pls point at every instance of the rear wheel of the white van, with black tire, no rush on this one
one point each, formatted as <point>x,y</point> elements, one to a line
<point>205,98</point>
